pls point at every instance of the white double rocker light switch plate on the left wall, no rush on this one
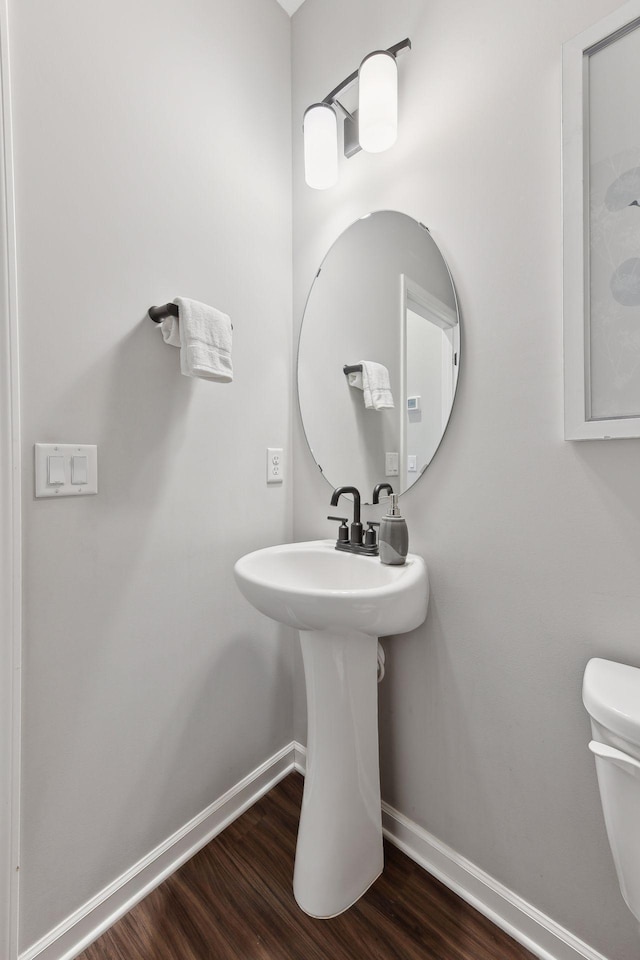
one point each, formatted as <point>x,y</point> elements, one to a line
<point>66,469</point>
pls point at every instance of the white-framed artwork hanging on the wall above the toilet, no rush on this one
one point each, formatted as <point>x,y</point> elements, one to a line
<point>601,228</point>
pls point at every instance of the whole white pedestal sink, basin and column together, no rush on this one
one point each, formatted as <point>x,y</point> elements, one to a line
<point>340,603</point>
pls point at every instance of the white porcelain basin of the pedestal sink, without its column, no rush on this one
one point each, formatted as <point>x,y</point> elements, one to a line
<point>313,586</point>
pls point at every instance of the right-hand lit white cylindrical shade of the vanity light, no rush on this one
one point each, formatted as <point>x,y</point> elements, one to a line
<point>378,103</point>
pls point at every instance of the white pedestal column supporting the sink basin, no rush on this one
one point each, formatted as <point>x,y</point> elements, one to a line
<point>339,852</point>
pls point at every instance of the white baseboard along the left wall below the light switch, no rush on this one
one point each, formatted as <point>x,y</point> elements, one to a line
<point>74,934</point>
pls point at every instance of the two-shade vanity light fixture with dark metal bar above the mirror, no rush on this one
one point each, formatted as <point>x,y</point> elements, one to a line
<point>373,127</point>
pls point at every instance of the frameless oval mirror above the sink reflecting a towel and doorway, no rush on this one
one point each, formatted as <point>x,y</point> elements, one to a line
<point>383,295</point>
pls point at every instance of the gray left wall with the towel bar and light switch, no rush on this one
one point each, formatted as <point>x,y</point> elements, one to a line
<point>150,685</point>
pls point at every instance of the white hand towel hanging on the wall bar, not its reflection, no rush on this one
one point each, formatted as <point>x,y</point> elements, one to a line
<point>204,337</point>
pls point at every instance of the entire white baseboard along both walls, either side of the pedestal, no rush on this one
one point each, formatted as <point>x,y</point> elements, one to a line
<point>537,932</point>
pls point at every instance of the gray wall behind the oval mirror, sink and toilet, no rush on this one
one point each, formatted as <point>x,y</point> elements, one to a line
<point>532,543</point>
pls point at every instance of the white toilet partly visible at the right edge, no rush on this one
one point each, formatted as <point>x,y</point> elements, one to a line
<point>611,694</point>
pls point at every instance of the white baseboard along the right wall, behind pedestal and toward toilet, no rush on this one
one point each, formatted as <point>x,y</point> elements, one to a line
<point>525,923</point>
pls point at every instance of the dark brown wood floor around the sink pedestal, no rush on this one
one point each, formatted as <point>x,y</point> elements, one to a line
<point>233,901</point>
